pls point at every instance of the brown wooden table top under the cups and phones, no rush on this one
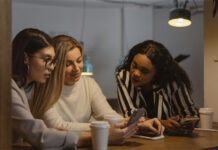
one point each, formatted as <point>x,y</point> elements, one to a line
<point>202,140</point>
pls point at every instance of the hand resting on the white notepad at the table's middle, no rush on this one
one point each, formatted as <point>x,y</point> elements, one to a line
<point>151,125</point>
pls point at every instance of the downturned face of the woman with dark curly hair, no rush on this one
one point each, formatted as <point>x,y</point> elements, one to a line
<point>142,71</point>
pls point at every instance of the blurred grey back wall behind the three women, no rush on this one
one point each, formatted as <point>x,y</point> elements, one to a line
<point>109,28</point>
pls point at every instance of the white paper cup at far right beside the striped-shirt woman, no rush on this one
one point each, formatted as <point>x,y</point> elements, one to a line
<point>206,117</point>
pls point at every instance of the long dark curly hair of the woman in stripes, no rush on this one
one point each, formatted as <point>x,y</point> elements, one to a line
<point>168,70</point>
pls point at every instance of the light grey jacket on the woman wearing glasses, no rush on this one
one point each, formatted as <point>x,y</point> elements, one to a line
<point>34,131</point>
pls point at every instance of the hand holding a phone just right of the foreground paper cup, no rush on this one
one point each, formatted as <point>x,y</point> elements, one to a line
<point>119,132</point>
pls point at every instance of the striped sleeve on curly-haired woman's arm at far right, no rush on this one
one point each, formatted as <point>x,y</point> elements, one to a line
<point>183,101</point>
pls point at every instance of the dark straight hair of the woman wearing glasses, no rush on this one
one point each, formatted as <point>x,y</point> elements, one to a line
<point>27,41</point>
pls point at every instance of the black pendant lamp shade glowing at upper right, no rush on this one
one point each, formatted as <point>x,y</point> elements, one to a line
<point>179,17</point>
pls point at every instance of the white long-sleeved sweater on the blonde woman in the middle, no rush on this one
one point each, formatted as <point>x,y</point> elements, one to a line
<point>77,104</point>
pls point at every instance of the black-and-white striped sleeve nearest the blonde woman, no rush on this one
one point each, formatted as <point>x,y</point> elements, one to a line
<point>123,92</point>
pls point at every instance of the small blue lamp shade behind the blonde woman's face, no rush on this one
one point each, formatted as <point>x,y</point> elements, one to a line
<point>87,67</point>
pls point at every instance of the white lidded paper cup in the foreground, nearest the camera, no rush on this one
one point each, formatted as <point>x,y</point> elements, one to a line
<point>100,132</point>
